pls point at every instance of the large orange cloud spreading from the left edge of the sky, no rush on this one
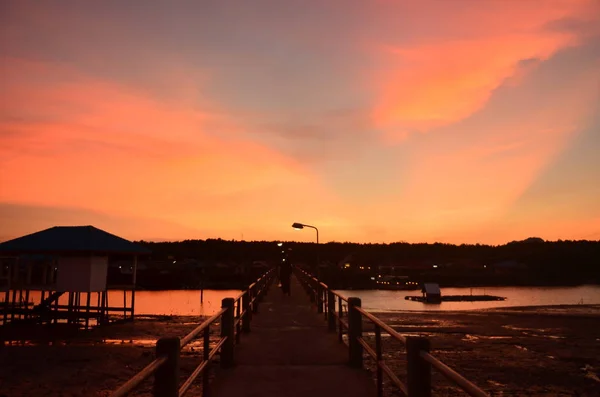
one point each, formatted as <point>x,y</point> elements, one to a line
<point>68,140</point>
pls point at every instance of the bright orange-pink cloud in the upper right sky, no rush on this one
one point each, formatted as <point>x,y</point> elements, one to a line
<point>438,80</point>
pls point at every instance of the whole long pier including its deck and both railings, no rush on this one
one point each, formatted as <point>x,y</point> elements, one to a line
<point>276,345</point>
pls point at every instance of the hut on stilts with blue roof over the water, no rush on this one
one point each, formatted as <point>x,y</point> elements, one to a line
<point>45,275</point>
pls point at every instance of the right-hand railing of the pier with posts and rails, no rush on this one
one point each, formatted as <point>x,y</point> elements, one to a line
<point>419,360</point>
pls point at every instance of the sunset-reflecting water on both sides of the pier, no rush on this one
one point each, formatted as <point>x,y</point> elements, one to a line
<point>187,302</point>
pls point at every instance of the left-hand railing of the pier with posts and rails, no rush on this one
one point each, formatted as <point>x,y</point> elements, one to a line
<point>235,317</point>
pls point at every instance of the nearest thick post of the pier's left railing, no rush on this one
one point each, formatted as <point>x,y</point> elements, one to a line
<point>166,377</point>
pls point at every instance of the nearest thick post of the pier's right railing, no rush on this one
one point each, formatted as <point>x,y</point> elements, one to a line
<point>418,371</point>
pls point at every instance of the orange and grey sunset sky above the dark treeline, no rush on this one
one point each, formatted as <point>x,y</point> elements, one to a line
<point>463,121</point>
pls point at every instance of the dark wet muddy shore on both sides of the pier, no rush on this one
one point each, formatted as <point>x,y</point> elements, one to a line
<point>528,351</point>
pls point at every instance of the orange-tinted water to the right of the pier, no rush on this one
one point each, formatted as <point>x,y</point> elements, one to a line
<point>382,300</point>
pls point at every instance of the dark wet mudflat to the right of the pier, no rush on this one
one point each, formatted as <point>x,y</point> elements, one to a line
<point>524,351</point>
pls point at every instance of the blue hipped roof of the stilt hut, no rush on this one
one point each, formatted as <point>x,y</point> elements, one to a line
<point>71,239</point>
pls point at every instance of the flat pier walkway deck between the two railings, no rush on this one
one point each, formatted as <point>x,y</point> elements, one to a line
<point>290,352</point>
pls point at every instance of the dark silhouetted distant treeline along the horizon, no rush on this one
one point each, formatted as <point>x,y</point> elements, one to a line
<point>546,262</point>
